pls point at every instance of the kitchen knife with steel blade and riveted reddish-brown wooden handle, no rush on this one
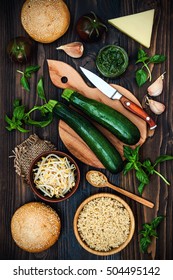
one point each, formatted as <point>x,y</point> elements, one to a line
<point>112,93</point>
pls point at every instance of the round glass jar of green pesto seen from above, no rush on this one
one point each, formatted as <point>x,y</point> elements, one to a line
<point>112,61</point>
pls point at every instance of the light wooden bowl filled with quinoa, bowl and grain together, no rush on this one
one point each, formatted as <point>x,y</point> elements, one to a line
<point>104,224</point>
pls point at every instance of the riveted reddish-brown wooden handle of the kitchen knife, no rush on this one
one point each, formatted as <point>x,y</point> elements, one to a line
<point>134,108</point>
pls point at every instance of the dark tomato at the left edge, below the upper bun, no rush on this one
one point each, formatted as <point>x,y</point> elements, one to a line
<point>19,49</point>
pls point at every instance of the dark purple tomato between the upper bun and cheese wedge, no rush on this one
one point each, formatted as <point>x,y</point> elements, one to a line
<point>90,27</point>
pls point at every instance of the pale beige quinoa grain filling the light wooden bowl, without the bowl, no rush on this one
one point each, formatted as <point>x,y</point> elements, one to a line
<point>104,224</point>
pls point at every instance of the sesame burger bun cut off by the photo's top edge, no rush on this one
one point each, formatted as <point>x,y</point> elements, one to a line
<point>45,20</point>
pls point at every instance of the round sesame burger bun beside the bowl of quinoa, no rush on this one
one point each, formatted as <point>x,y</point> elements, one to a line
<point>35,227</point>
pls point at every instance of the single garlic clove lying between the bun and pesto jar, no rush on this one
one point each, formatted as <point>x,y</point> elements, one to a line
<point>74,49</point>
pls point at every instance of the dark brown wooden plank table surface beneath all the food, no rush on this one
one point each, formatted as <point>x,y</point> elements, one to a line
<point>14,192</point>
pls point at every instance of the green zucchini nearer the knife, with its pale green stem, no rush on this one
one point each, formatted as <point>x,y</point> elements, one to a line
<point>114,121</point>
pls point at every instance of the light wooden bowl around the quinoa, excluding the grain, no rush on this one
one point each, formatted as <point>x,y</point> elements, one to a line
<point>112,250</point>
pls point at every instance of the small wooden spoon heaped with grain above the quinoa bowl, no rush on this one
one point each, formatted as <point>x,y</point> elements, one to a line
<point>99,180</point>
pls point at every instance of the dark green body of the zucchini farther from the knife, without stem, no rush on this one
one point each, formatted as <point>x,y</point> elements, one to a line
<point>98,143</point>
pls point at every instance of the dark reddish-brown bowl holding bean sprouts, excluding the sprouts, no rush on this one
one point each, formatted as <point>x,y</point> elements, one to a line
<point>38,192</point>
